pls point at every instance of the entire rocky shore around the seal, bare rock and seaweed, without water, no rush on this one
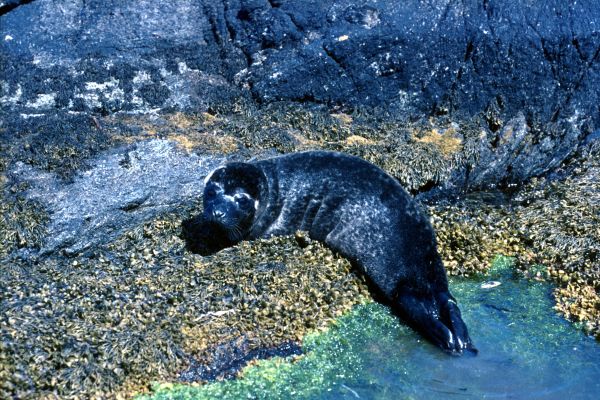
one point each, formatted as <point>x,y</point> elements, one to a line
<point>112,114</point>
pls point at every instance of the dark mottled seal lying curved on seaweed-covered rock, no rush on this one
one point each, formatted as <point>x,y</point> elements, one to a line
<point>354,208</point>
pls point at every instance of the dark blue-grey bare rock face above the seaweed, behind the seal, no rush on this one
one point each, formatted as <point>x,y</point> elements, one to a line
<point>529,73</point>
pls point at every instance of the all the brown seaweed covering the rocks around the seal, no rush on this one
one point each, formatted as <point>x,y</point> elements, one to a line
<point>140,309</point>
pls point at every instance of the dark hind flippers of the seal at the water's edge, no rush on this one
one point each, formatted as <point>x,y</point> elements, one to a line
<point>437,318</point>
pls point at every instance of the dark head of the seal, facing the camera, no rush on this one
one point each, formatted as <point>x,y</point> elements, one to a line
<point>232,196</point>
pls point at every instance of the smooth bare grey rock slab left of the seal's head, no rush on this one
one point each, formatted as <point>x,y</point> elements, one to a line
<point>123,189</point>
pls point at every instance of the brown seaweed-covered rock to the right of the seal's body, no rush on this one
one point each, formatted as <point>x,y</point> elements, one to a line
<point>550,226</point>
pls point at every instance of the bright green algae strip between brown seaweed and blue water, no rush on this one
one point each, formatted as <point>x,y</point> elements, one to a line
<point>330,358</point>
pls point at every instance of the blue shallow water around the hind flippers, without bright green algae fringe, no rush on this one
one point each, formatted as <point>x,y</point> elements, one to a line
<point>525,352</point>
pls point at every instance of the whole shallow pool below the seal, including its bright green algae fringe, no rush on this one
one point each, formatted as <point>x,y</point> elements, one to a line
<point>526,351</point>
